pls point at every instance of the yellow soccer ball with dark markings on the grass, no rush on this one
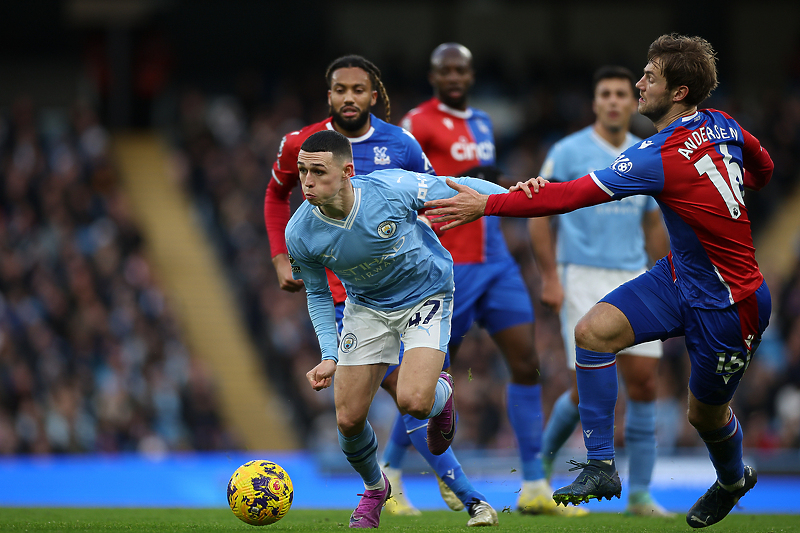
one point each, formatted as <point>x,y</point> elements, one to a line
<point>260,493</point>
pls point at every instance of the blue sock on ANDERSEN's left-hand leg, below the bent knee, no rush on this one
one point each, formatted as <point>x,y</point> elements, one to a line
<point>596,373</point>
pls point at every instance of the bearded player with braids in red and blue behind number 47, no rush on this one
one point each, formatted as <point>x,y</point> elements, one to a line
<point>354,86</point>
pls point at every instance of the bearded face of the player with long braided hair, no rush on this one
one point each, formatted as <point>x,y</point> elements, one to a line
<point>351,97</point>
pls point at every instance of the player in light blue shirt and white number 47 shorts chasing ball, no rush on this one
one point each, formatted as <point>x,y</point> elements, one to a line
<point>399,283</point>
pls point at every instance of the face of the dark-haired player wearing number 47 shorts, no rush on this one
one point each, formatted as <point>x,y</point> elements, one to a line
<point>322,176</point>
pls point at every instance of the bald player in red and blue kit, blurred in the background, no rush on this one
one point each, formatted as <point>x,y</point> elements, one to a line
<point>459,140</point>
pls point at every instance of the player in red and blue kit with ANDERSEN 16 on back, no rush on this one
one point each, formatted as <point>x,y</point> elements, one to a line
<point>708,289</point>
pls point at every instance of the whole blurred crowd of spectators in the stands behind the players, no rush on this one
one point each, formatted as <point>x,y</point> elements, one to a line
<point>91,358</point>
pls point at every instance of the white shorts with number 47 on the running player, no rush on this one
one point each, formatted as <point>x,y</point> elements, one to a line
<point>370,336</point>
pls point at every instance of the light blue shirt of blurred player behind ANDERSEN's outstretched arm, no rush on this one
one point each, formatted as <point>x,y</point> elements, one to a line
<point>609,235</point>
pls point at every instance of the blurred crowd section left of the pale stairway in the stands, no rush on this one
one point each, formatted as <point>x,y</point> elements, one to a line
<point>91,359</point>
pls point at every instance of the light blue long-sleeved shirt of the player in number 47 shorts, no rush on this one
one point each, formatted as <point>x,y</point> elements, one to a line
<point>386,259</point>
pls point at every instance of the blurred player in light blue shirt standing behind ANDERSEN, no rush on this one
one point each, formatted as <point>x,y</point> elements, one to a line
<point>597,249</point>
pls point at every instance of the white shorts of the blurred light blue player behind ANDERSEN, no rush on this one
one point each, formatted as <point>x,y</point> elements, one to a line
<point>584,286</point>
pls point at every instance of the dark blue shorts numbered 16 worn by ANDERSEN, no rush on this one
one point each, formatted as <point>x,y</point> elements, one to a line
<point>720,342</point>
